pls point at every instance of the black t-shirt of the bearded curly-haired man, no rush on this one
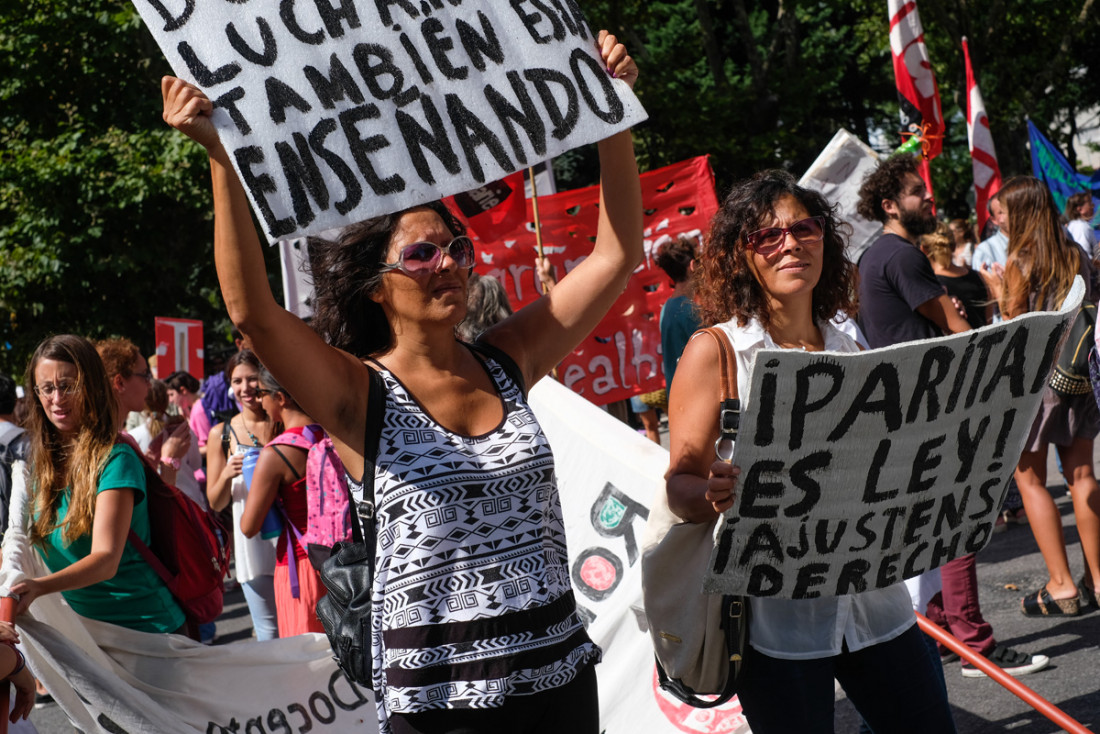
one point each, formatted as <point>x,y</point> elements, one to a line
<point>896,279</point>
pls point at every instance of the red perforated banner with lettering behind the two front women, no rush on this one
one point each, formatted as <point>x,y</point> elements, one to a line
<point>622,356</point>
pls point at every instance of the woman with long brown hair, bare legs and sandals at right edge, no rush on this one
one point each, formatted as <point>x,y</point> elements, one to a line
<point>1042,265</point>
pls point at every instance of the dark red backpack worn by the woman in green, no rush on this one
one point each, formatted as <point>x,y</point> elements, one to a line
<point>189,550</point>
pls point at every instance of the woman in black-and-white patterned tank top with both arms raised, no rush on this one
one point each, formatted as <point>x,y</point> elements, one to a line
<point>475,621</point>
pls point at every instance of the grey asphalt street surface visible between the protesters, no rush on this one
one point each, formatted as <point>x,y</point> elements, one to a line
<point>1008,568</point>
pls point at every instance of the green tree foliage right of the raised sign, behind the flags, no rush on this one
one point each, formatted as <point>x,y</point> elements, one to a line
<point>767,84</point>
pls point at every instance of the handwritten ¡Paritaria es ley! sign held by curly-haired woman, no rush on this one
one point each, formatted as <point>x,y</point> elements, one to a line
<point>862,470</point>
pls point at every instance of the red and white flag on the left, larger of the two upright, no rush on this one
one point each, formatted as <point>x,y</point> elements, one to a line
<point>918,92</point>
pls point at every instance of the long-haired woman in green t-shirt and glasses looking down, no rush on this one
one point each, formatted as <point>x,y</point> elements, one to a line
<point>89,492</point>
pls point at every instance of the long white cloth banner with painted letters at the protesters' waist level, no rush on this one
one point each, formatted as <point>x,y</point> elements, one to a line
<point>112,680</point>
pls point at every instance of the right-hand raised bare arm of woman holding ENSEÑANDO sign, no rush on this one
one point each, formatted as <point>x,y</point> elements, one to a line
<point>544,333</point>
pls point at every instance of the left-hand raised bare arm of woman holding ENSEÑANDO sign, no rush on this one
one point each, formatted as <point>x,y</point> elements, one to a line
<point>295,354</point>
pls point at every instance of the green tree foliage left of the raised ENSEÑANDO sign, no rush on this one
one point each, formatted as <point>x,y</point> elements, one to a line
<point>105,218</point>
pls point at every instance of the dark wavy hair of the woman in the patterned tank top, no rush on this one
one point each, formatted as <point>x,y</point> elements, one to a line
<point>347,271</point>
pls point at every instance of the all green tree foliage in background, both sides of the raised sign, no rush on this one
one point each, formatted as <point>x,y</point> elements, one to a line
<point>105,218</point>
